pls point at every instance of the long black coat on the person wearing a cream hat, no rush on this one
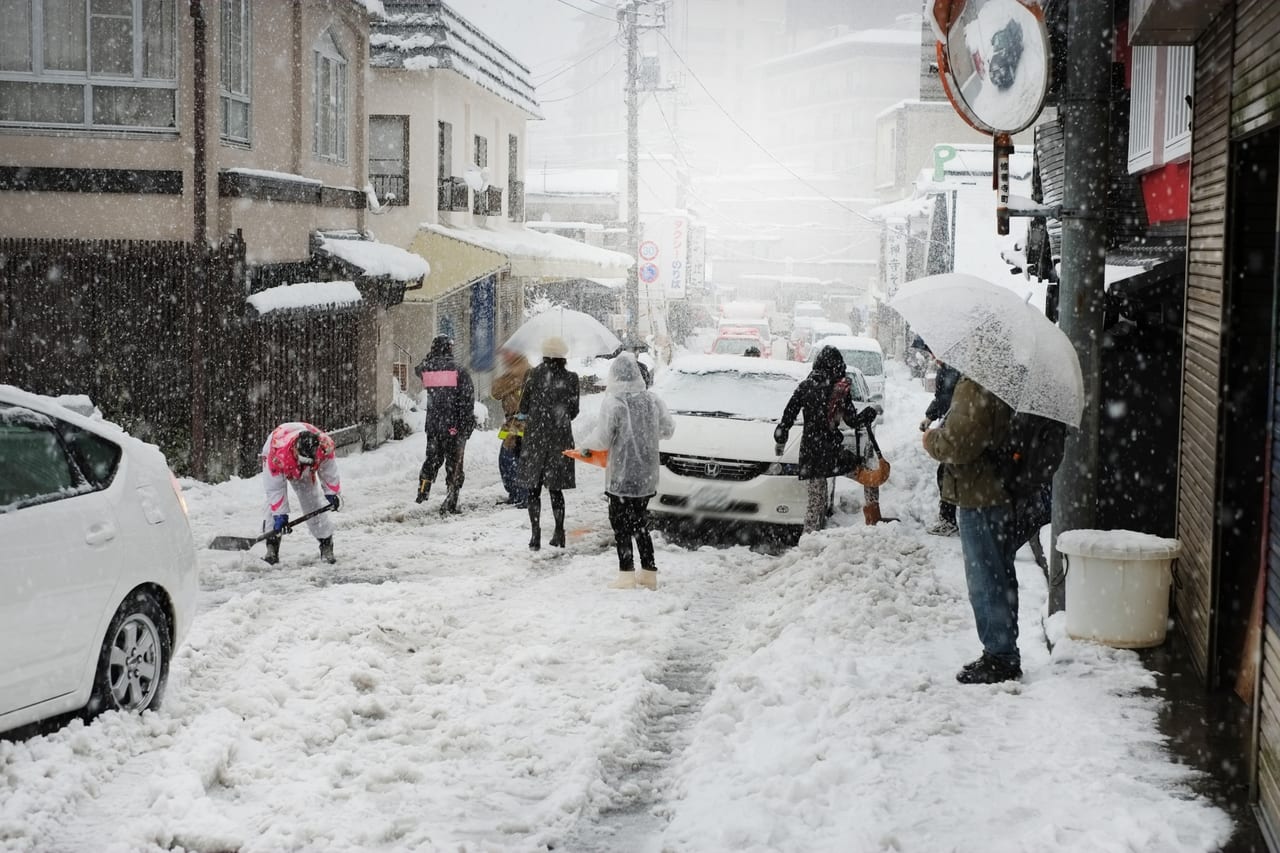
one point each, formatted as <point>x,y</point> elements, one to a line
<point>551,402</point>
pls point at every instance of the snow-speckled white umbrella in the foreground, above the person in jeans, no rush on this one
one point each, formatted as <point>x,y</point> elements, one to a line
<point>998,340</point>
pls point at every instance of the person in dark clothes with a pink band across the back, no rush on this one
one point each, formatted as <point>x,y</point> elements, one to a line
<point>450,422</point>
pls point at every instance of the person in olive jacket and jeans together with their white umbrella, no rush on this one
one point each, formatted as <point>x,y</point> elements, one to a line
<point>1012,359</point>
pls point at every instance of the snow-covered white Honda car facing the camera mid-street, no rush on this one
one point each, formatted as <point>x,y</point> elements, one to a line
<point>720,466</point>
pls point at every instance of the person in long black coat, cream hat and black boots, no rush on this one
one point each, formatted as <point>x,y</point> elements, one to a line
<point>548,408</point>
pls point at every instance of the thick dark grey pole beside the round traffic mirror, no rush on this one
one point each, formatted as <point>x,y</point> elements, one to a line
<point>1086,112</point>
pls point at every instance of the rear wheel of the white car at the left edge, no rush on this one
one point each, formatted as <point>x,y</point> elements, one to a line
<point>134,665</point>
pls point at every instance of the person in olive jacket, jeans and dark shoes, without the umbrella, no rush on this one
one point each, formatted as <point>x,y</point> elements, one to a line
<point>976,425</point>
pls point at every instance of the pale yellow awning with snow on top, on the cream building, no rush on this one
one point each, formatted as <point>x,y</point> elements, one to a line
<point>460,257</point>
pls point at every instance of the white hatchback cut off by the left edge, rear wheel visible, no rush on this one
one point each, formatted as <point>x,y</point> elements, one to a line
<point>98,569</point>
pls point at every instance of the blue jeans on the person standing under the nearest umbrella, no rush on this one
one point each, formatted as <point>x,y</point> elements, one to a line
<point>989,569</point>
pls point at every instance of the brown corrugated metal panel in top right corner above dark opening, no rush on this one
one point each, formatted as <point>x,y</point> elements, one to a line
<point>1256,92</point>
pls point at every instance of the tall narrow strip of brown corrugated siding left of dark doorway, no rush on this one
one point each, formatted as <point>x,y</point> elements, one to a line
<point>1203,354</point>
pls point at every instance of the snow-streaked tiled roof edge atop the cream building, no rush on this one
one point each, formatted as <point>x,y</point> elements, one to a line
<point>423,35</point>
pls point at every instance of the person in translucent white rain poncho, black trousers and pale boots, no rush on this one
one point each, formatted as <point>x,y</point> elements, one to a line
<point>633,422</point>
